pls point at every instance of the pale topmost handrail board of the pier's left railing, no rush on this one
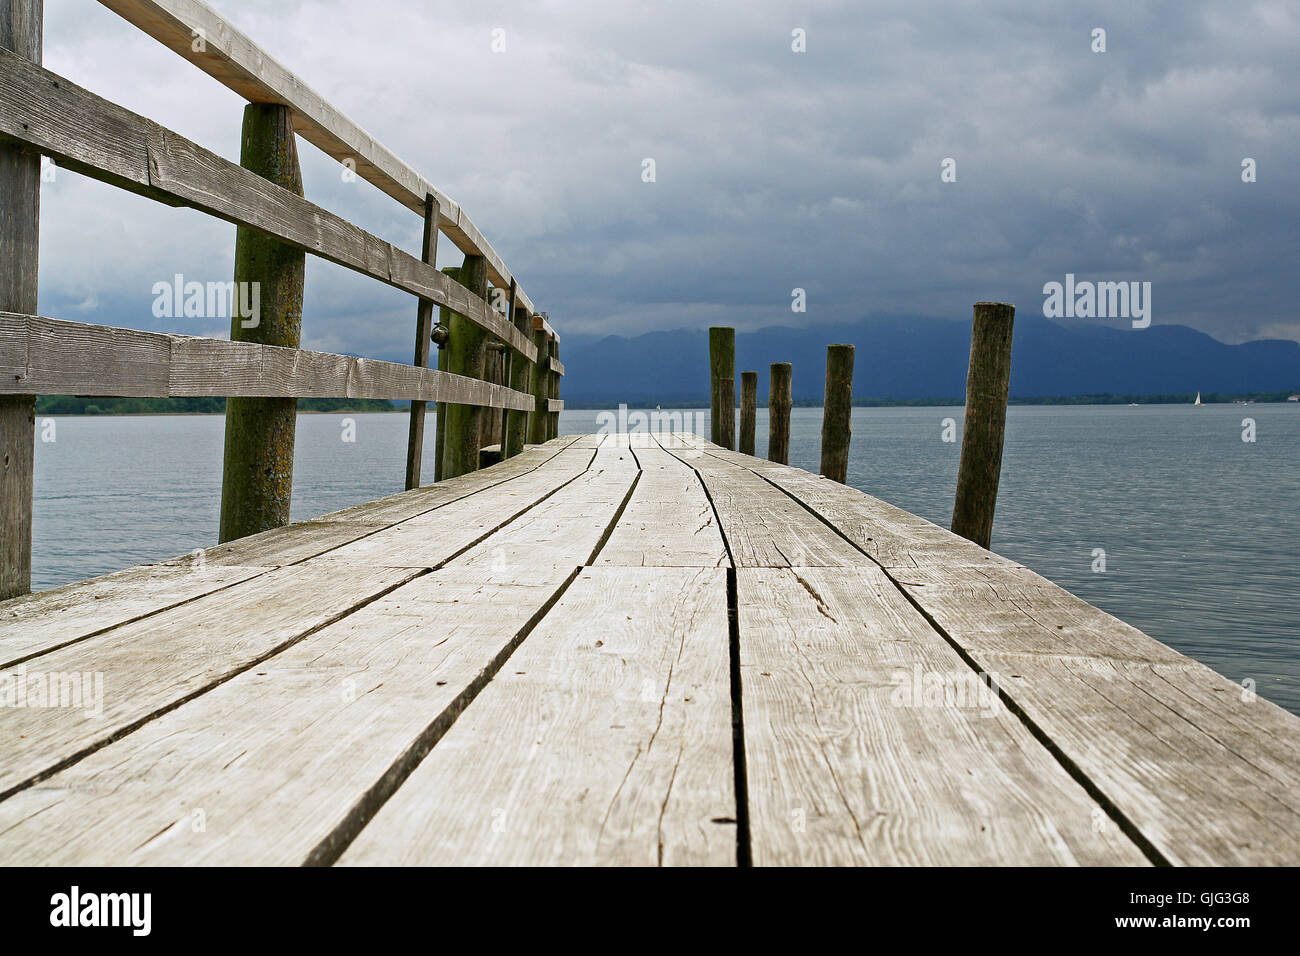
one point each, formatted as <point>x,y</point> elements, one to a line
<point>235,60</point>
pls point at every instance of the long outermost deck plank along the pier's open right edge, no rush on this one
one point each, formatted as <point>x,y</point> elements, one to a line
<point>1102,691</point>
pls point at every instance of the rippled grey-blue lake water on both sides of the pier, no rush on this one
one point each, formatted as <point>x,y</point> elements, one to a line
<point>1199,527</point>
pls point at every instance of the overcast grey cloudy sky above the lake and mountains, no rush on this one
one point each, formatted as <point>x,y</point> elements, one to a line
<point>774,170</point>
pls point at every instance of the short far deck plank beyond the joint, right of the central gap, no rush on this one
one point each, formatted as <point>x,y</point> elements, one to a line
<point>762,526</point>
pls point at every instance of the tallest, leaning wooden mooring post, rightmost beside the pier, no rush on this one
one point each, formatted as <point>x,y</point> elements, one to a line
<point>987,388</point>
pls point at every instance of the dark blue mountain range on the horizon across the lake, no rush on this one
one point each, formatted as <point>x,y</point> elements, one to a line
<point>922,358</point>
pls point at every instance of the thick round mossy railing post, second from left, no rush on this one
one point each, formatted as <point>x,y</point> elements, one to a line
<point>258,478</point>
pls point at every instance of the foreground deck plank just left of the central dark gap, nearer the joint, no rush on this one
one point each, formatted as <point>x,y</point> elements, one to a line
<point>606,739</point>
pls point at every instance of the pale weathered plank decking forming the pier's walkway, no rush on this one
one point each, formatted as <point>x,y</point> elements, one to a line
<point>617,650</point>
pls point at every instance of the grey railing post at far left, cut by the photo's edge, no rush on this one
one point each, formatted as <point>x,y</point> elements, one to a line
<point>20,240</point>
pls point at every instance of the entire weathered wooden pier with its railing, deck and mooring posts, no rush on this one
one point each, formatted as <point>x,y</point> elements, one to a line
<point>644,650</point>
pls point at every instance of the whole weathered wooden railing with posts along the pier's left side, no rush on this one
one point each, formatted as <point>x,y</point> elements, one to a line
<point>501,361</point>
